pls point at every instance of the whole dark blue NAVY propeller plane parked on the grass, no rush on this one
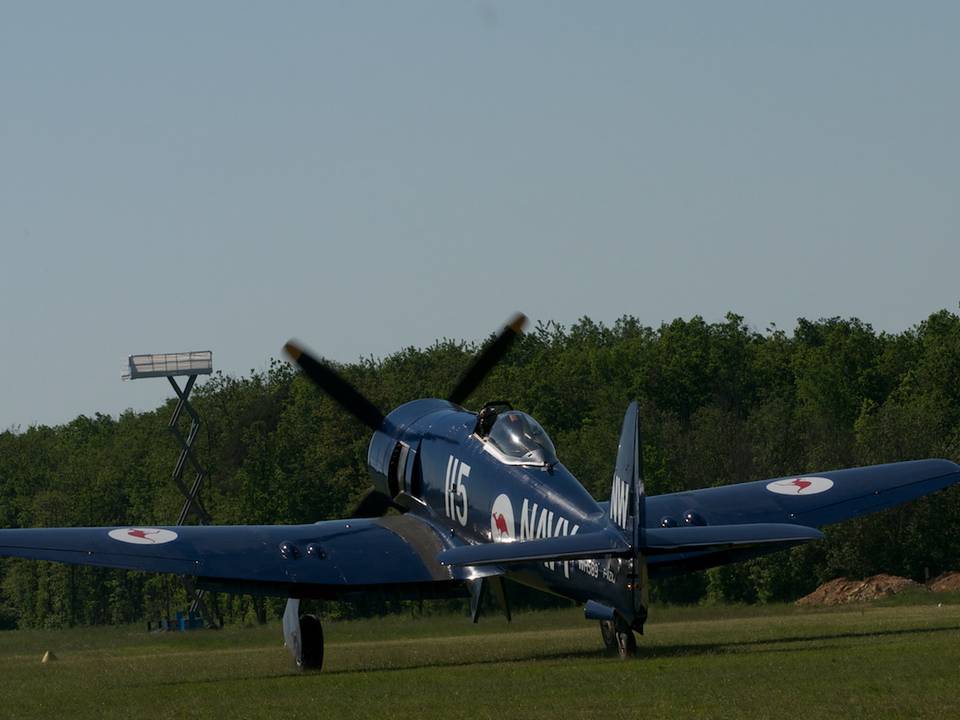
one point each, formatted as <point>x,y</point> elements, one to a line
<point>481,497</point>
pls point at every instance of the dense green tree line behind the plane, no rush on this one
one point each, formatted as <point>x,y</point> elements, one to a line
<point>720,403</point>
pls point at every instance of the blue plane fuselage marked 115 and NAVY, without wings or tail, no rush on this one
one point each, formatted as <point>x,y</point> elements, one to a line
<point>431,460</point>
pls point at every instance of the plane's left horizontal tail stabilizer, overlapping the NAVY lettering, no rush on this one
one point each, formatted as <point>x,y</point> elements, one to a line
<point>569,547</point>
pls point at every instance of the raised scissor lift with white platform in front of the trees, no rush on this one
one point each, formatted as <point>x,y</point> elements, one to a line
<point>189,365</point>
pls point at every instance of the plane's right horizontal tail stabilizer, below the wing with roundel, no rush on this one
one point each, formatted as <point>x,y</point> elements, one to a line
<point>680,539</point>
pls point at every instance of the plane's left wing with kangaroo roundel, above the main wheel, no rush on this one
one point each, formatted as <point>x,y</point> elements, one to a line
<point>324,559</point>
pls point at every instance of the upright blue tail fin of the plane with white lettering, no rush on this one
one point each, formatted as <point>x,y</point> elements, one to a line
<point>627,497</point>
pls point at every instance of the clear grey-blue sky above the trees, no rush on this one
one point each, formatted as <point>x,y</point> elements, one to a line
<point>367,176</point>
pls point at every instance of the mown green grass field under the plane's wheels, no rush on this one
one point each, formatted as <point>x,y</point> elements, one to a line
<point>895,660</point>
